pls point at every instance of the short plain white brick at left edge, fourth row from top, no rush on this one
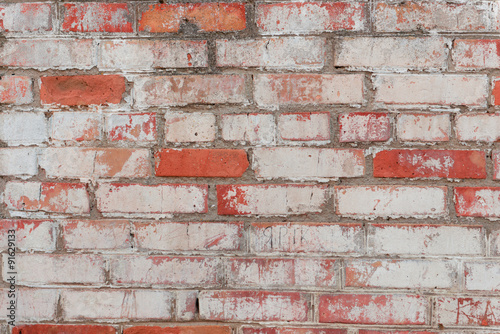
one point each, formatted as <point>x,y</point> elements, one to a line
<point>23,128</point>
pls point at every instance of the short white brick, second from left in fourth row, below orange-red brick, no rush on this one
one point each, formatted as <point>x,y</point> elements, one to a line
<point>75,126</point>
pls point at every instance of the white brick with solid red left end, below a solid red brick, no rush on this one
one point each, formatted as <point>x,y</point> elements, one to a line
<point>277,199</point>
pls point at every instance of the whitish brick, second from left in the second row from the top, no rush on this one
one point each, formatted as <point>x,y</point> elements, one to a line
<point>150,55</point>
